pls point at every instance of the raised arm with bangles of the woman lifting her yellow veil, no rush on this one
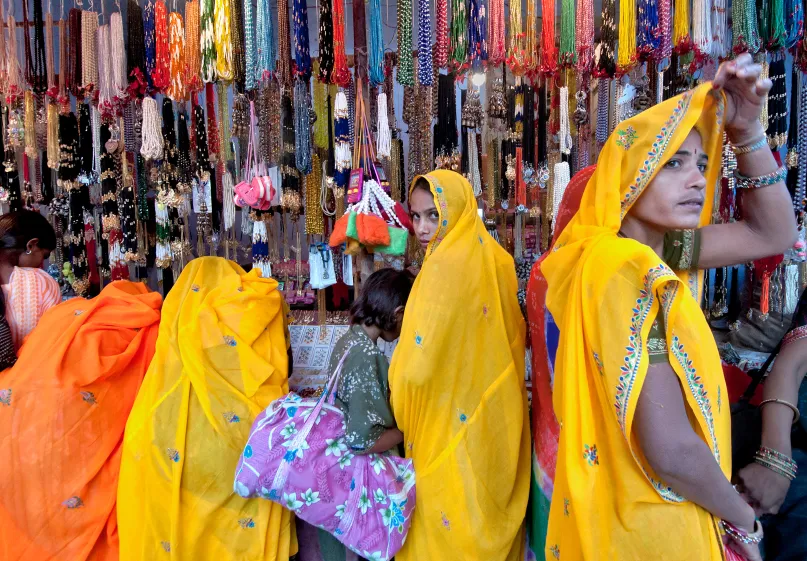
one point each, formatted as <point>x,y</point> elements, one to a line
<point>768,225</point>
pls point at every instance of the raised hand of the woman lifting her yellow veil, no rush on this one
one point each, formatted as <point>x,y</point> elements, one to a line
<point>746,93</point>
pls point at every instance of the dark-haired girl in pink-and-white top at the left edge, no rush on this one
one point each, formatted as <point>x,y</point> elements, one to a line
<point>26,240</point>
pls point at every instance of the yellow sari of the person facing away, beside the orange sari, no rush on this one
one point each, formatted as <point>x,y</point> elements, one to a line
<point>220,360</point>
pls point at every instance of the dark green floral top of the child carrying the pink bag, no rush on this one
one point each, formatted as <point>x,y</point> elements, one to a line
<point>363,390</point>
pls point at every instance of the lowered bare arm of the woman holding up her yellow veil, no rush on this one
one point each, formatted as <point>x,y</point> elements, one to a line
<point>681,458</point>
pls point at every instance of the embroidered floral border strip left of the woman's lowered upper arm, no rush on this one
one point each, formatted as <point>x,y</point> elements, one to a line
<point>634,348</point>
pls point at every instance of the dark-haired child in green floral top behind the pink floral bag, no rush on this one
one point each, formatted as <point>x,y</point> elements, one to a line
<point>362,392</point>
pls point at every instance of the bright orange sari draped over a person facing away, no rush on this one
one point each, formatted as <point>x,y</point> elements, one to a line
<point>63,408</point>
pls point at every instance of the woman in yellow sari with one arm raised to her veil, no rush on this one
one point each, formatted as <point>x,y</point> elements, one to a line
<point>644,453</point>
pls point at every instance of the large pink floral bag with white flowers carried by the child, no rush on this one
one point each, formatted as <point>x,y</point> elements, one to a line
<point>296,456</point>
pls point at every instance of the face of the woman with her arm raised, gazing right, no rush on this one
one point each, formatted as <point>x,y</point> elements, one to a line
<point>674,199</point>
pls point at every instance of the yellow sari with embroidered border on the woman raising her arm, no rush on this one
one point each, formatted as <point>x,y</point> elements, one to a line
<point>604,292</point>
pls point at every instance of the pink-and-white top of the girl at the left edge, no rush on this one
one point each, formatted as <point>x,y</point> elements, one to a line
<point>29,294</point>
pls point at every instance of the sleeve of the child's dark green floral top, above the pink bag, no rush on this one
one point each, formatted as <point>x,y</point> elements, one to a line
<point>364,393</point>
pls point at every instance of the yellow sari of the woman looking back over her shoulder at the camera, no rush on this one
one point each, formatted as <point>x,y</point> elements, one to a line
<point>458,394</point>
